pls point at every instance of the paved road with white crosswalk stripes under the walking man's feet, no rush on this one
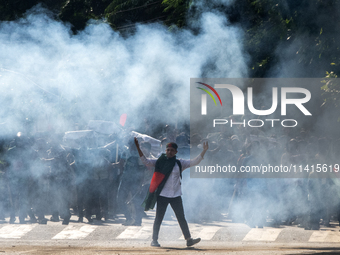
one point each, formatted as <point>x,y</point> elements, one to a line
<point>217,237</point>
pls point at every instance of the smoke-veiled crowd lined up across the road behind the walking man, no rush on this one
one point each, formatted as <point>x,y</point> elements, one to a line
<point>42,176</point>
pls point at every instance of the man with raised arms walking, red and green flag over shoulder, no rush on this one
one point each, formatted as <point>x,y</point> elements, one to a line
<point>165,188</point>
